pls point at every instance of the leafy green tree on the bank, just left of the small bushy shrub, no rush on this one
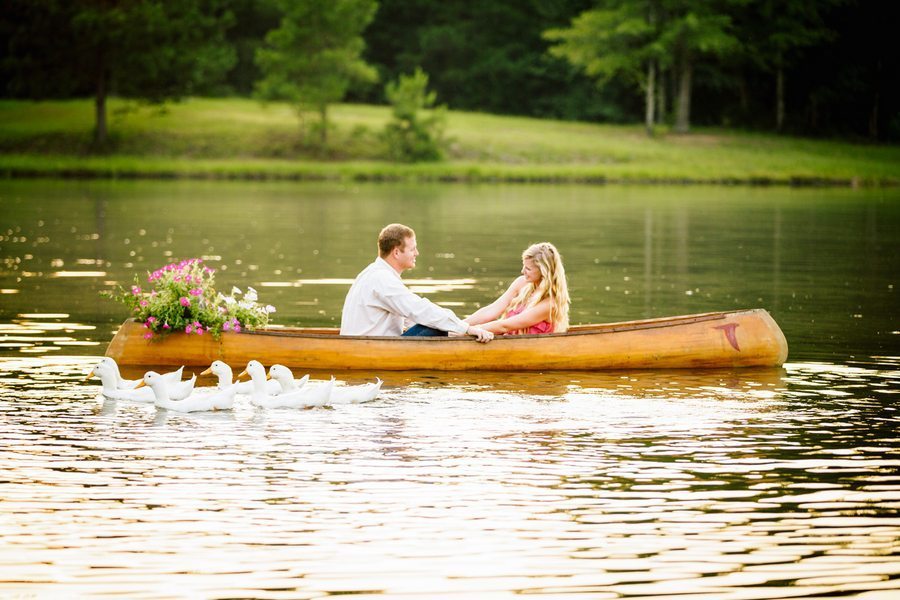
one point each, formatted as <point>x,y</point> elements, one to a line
<point>313,57</point>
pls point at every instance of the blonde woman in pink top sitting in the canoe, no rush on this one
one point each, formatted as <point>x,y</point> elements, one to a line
<point>536,302</point>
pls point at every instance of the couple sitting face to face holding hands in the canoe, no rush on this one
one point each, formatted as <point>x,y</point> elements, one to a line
<point>379,304</point>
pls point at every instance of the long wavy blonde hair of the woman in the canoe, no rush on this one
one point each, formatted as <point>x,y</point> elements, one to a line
<point>552,285</point>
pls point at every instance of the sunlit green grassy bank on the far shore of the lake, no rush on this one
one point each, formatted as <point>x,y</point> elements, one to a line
<point>237,138</point>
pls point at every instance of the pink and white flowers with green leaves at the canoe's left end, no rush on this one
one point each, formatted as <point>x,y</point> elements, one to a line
<point>182,297</point>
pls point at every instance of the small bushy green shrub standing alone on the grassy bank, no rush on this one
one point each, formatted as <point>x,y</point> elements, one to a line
<point>410,136</point>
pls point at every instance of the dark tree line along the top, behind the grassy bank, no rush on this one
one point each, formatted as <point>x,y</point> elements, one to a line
<point>811,67</point>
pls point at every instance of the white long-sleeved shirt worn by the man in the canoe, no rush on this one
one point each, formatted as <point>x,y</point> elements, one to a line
<point>379,303</point>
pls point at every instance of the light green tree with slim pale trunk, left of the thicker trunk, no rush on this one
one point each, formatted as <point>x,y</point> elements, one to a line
<point>619,41</point>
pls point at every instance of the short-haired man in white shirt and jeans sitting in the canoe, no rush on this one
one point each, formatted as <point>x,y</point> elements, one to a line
<point>378,302</point>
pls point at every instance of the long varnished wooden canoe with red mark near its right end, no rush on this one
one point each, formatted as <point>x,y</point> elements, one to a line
<point>747,338</point>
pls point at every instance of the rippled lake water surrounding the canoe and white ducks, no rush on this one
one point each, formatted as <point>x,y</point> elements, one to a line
<point>744,484</point>
